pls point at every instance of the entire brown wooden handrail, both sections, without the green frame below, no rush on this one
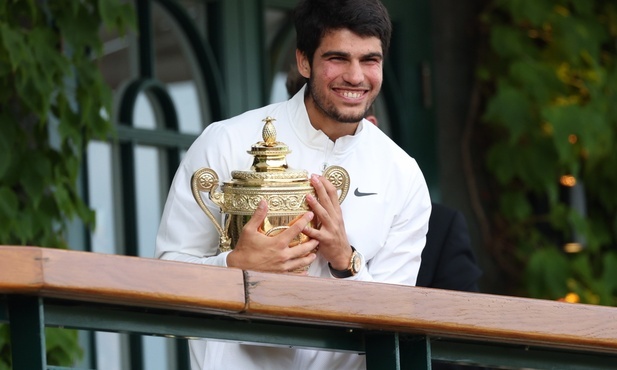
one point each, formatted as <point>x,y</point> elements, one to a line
<point>143,282</point>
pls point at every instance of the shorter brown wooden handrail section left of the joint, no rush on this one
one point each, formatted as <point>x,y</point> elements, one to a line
<point>118,279</point>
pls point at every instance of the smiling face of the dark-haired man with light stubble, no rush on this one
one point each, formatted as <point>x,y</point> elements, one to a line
<point>345,76</point>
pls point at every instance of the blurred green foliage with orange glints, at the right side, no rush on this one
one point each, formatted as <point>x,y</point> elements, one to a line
<point>549,72</point>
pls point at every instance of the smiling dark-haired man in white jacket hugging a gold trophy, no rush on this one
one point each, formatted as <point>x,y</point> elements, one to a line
<point>382,223</point>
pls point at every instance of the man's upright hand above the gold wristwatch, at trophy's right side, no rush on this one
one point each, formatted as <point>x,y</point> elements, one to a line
<point>331,234</point>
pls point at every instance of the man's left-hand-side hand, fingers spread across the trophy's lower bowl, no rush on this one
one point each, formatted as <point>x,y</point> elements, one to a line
<point>258,252</point>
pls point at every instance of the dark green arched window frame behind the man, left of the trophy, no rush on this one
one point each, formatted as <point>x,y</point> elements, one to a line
<point>170,141</point>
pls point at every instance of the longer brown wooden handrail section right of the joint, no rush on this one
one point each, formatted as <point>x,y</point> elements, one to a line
<point>433,312</point>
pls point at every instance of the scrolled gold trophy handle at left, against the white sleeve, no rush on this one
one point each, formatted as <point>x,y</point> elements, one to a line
<point>206,180</point>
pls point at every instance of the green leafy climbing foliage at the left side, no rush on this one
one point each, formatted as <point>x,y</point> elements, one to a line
<point>53,100</point>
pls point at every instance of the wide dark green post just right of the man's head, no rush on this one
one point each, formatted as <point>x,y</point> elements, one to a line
<point>407,86</point>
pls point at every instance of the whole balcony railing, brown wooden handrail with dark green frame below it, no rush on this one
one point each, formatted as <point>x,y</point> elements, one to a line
<point>397,327</point>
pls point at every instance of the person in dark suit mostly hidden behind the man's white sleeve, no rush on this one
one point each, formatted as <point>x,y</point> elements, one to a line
<point>447,260</point>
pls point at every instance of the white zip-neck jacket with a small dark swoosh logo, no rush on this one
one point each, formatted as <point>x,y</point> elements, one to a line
<point>388,228</point>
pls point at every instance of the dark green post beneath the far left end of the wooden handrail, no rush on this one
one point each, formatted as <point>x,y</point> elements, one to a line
<point>27,327</point>
